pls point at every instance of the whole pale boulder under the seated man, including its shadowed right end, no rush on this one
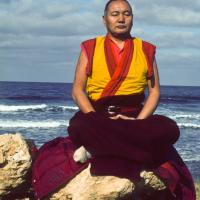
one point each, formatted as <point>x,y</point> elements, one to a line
<point>87,187</point>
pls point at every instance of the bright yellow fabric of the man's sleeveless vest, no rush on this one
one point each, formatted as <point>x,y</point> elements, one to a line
<point>135,81</point>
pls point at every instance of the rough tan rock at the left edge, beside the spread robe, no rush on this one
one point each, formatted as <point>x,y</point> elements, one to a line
<point>15,165</point>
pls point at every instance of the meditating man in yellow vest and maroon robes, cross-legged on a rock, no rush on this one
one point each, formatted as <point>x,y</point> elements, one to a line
<point>116,128</point>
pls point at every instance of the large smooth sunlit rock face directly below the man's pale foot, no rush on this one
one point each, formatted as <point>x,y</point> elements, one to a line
<point>87,187</point>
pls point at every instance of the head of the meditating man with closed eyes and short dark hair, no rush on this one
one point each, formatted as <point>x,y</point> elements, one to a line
<point>118,18</point>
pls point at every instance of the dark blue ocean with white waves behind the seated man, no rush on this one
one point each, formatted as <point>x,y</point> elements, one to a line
<point>41,111</point>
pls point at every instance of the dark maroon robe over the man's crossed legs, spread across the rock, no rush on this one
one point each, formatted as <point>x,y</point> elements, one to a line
<point>120,147</point>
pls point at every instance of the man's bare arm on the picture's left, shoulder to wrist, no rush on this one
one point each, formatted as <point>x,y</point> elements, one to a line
<point>78,89</point>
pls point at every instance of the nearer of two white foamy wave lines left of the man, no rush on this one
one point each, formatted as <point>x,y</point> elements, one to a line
<point>32,124</point>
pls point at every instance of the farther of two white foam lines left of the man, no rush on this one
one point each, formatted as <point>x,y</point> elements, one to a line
<point>7,108</point>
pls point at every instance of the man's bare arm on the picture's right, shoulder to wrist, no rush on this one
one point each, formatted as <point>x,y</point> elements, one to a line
<point>154,95</point>
